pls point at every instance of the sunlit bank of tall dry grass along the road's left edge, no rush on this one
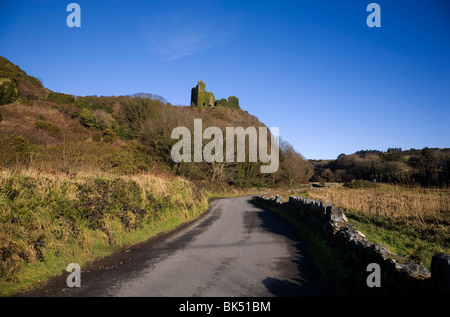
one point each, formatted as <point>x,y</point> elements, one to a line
<point>49,220</point>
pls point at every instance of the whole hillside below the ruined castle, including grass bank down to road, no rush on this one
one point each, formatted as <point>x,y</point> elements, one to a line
<point>84,176</point>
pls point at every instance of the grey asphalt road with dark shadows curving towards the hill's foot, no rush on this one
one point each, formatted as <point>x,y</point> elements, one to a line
<point>235,249</point>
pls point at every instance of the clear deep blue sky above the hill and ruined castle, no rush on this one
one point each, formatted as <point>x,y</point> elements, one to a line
<point>312,68</point>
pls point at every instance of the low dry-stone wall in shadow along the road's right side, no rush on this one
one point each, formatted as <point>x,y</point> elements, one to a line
<point>397,273</point>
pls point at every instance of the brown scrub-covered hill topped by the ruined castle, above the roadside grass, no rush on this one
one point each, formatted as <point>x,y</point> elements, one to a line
<point>54,131</point>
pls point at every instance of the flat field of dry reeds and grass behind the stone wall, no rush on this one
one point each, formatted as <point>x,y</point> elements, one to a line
<point>411,221</point>
